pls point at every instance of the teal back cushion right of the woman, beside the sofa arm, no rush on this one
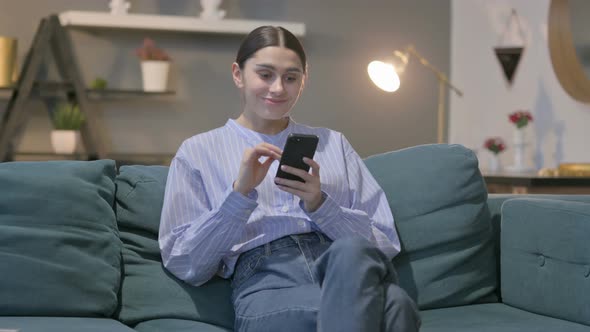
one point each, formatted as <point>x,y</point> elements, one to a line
<point>438,199</point>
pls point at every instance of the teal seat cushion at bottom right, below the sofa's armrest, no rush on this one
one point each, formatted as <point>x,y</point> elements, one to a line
<point>493,317</point>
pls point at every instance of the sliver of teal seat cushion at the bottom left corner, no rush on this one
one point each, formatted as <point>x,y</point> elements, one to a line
<point>61,324</point>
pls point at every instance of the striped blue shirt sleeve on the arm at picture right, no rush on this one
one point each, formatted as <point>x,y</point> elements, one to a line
<point>368,215</point>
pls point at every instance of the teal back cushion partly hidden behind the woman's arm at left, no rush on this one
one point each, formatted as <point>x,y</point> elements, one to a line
<point>148,291</point>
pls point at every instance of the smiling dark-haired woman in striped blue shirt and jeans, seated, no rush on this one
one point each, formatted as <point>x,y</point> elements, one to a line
<point>302,256</point>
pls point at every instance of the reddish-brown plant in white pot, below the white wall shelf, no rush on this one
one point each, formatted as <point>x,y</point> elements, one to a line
<point>155,65</point>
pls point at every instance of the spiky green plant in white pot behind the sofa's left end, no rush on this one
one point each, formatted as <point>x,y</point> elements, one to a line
<point>67,121</point>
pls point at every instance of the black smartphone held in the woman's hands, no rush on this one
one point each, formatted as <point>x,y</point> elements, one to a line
<point>297,147</point>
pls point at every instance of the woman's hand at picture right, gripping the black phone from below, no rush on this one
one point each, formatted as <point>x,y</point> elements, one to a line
<point>308,191</point>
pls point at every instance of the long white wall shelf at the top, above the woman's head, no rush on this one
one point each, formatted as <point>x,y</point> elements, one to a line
<point>170,23</point>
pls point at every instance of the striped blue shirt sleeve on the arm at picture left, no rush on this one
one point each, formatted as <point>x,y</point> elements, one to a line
<point>194,237</point>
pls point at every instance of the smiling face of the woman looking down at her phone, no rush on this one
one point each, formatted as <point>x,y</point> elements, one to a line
<point>271,82</point>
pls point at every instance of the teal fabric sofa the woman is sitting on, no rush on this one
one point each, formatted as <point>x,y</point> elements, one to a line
<point>79,251</point>
